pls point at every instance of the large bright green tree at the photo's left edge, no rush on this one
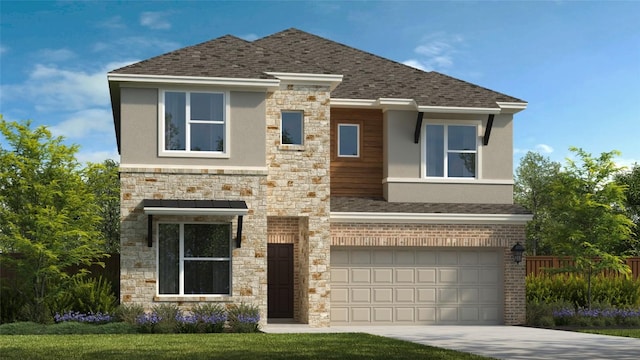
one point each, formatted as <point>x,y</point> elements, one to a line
<point>48,218</point>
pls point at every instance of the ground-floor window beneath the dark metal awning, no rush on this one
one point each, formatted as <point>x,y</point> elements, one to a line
<point>194,259</point>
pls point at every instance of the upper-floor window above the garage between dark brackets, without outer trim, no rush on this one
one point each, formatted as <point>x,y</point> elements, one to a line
<point>451,151</point>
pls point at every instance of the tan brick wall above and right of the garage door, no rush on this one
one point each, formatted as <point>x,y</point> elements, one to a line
<point>451,235</point>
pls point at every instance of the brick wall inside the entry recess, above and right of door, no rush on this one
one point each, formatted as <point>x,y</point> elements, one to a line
<point>285,230</point>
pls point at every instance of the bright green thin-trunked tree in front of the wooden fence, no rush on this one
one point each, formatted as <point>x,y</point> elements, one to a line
<point>587,218</point>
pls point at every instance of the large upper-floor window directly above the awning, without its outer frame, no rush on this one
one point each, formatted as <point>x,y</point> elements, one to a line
<point>194,123</point>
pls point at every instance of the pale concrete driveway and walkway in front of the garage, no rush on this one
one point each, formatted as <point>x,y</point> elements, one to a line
<point>501,342</point>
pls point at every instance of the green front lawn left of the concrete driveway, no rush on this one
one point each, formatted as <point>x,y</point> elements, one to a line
<point>218,346</point>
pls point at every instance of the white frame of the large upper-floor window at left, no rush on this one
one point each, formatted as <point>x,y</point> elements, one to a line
<point>162,152</point>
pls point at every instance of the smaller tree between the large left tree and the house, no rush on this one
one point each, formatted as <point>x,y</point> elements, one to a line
<point>104,182</point>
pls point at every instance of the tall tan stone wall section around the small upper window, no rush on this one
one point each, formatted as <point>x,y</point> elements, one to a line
<point>298,185</point>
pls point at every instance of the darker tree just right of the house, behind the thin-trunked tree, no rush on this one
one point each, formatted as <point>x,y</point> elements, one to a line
<point>534,178</point>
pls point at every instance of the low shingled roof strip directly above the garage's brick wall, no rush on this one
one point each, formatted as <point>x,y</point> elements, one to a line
<point>380,205</point>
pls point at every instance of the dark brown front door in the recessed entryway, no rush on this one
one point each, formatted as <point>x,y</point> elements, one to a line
<point>280,280</point>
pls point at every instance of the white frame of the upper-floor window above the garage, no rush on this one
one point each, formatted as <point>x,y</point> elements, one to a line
<point>423,152</point>
